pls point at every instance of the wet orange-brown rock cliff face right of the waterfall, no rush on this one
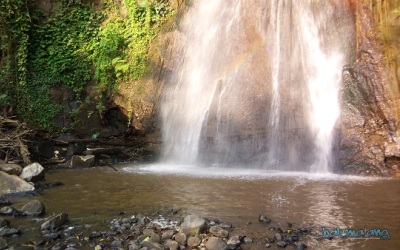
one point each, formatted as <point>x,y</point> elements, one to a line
<point>369,143</point>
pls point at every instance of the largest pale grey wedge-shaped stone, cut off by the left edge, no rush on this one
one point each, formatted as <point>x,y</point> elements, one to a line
<point>13,184</point>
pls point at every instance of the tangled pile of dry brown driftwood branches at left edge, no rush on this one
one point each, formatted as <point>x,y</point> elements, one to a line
<point>13,136</point>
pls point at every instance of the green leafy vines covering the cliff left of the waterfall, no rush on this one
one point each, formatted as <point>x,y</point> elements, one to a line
<point>73,45</point>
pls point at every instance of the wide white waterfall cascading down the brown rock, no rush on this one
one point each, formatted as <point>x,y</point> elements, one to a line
<point>257,84</point>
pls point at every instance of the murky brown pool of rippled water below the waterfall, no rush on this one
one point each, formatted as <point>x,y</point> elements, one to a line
<point>91,196</point>
